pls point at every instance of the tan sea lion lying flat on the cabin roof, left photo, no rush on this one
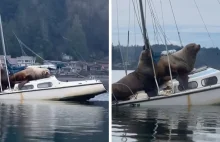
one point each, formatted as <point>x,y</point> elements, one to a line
<point>29,74</point>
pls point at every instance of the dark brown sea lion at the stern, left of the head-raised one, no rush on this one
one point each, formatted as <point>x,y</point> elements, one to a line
<point>140,79</point>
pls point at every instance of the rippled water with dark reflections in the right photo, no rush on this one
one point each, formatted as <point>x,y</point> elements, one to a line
<point>166,123</point>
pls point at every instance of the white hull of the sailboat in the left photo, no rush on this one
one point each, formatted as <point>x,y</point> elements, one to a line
<point>84,92</point>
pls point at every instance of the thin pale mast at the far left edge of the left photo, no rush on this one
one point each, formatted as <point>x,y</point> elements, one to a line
<point>3,45</point>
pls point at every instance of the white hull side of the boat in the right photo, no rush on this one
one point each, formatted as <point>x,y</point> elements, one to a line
<point>206,96</point>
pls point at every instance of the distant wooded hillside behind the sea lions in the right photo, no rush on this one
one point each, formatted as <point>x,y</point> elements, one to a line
<point>206,56</point>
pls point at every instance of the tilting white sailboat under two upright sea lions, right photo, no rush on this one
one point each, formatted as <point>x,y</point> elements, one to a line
<point>204,87</point>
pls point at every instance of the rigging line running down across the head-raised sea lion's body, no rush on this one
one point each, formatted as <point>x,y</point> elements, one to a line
<point>168,58</point>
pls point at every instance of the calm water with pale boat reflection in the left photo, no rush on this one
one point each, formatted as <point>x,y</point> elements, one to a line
<point>53,121</point>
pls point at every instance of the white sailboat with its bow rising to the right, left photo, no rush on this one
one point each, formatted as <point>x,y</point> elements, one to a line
<point>50,88</point>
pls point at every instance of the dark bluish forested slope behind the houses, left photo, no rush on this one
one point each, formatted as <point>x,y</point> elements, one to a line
<point>78,28</point>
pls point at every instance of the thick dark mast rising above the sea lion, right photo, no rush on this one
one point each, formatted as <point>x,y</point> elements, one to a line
<point>146,40</point>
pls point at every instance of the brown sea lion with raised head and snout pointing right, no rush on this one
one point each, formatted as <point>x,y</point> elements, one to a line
<point>181,62</point>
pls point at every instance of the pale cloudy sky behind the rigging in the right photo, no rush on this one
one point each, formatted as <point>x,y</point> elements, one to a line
<point>189,22</point>
